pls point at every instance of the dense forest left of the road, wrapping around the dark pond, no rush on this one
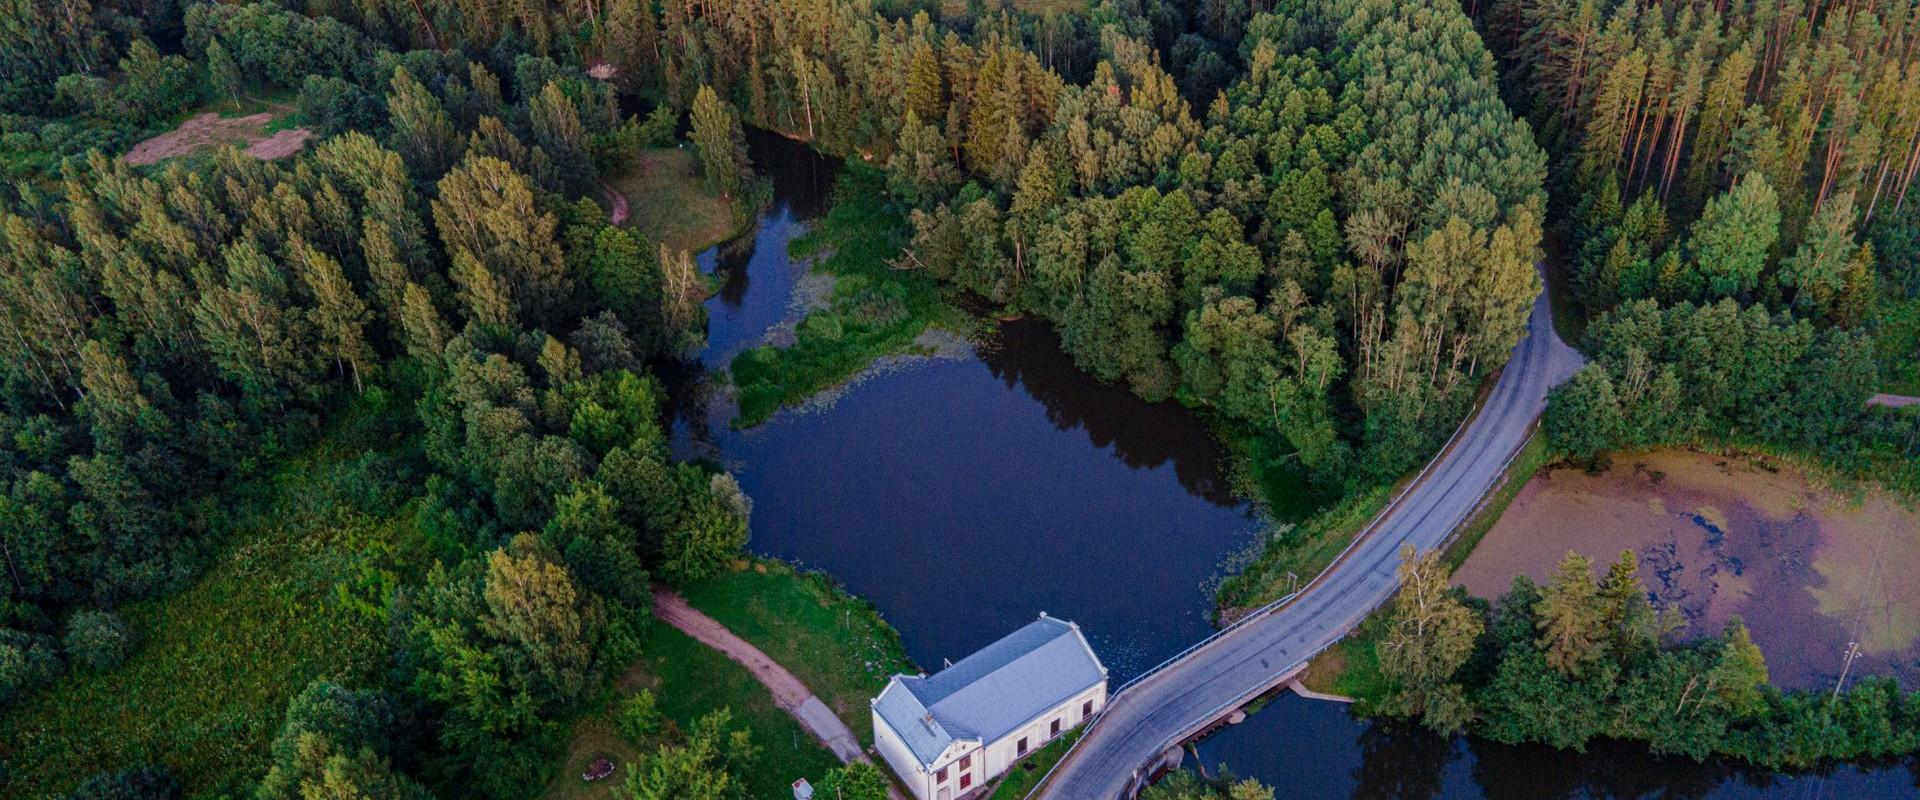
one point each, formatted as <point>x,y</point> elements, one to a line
<point>1237,210</point>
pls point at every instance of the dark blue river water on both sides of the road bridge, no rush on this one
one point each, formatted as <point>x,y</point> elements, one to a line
<point>969,494</point>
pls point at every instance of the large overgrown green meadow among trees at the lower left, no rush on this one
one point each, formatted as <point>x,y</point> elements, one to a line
<point>289,600</point>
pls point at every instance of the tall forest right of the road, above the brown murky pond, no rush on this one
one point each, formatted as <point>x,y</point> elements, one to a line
<point>1735,185</point>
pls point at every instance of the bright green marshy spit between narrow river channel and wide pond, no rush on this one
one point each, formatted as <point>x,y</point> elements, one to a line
<point>875,312</point>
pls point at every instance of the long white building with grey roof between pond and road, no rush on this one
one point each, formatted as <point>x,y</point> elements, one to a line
<point>951,734</point>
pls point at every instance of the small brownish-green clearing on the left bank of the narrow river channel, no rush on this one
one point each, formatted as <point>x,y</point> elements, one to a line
<point>669,202</point>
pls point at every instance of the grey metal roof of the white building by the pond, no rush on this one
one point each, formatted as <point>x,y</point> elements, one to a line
<point>994,692</point>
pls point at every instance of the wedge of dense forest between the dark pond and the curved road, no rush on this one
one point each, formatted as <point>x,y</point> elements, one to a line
<point>1285,248</point>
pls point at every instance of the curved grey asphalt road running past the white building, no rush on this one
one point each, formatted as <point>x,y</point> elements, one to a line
<point>1176,703</point>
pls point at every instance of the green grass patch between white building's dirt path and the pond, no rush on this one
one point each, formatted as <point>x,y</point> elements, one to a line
<point>830,640</point>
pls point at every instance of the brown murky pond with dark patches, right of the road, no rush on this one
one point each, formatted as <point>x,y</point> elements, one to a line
<point>1808,569</point>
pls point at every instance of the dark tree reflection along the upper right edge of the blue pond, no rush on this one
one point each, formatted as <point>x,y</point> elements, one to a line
<point>1141,435</point>
